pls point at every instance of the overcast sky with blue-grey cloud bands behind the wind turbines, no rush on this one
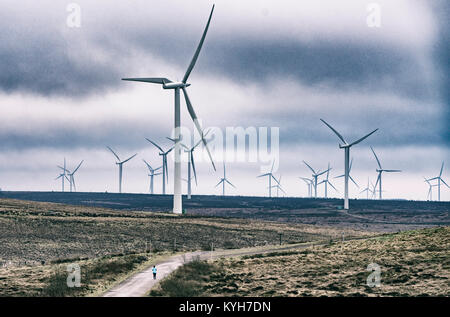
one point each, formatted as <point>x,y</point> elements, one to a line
<point>282,64</point>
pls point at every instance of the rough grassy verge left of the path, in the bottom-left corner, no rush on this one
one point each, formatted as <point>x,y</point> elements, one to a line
<point>96,276</point>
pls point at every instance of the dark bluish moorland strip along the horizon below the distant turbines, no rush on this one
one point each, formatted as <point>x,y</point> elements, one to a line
<point>372,215</point>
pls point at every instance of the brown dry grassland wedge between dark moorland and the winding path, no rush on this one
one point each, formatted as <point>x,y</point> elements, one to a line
<point>37,233</point>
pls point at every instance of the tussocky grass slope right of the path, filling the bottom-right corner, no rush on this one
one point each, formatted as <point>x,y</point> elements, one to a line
<point>412,263</point>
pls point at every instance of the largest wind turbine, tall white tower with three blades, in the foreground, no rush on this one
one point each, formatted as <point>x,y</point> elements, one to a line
<point>177,86</point>
